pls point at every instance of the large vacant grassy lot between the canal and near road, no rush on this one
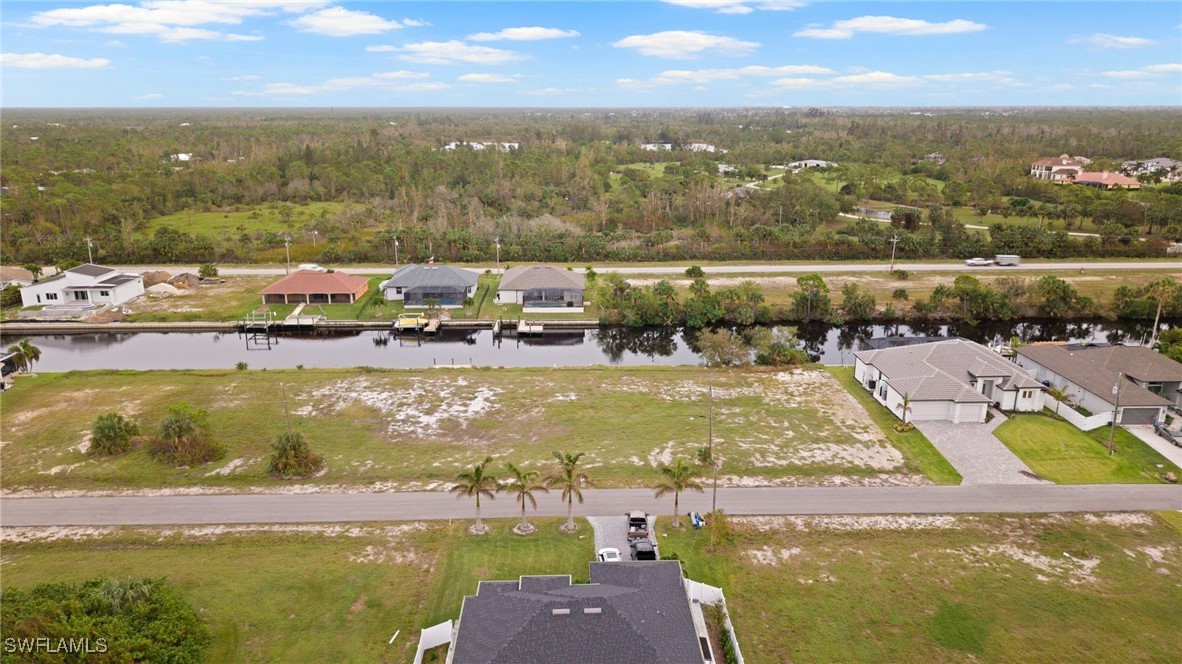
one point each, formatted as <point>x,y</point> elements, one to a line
<point>389,431</point>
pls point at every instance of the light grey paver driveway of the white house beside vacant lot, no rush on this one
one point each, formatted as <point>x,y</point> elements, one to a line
<point>977,454</point>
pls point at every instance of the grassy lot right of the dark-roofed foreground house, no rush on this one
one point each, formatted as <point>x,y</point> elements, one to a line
<point>947,589</point>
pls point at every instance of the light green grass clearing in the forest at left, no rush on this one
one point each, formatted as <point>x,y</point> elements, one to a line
<point>258,219</point>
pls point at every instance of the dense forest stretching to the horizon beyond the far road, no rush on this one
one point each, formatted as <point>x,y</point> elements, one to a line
<point>577,187</point>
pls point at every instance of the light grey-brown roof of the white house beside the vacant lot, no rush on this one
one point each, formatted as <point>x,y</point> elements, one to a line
<point>945,370</point>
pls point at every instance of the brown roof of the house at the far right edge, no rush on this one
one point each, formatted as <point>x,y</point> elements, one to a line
<point>1096,369</point>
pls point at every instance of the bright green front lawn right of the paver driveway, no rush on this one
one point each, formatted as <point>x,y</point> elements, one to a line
<point>1066,455</point>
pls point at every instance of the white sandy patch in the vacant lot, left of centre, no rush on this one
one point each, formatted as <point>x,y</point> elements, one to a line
<point>420,409</point>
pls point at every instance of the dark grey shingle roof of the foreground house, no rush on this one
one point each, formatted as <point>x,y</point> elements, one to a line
<point>629,613</point>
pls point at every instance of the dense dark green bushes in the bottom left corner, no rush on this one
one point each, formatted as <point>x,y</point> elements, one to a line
<point>132,621</point>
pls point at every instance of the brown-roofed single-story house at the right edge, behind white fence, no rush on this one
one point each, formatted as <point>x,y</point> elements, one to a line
<point>1089,374</point>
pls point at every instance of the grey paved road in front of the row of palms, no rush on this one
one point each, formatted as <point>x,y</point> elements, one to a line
<point>296,509</point>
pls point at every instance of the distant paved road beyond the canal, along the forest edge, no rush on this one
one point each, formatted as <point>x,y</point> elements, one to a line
<point>755,269</point>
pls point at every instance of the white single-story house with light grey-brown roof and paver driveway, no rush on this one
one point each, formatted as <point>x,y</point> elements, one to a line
<point>954,380</point>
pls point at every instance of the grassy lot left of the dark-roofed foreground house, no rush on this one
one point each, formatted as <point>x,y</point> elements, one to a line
<point>307,594</point>
